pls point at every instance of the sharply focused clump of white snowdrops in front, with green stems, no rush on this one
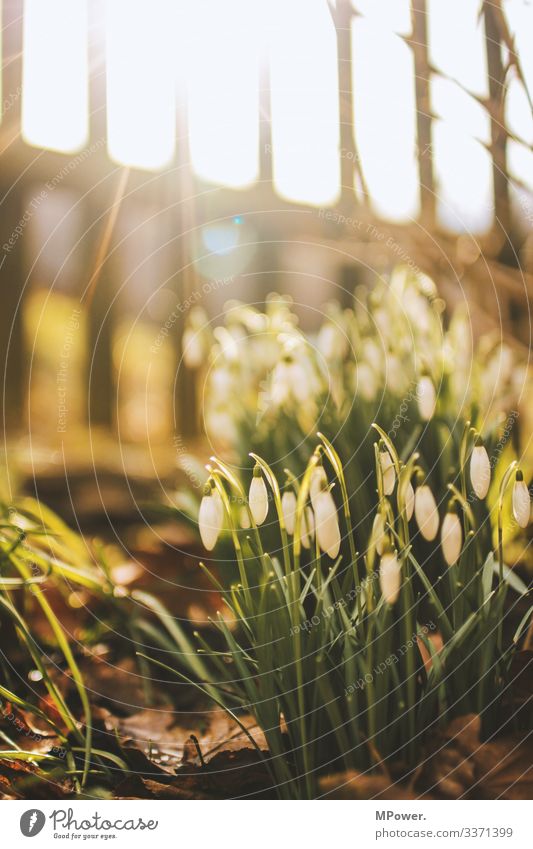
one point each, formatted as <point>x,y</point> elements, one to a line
<point>348,660</point>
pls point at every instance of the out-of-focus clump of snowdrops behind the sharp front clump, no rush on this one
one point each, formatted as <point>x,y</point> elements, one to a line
<point>263,382</point>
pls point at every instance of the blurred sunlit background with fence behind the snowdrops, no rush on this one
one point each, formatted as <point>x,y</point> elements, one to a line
<point>159,157</point>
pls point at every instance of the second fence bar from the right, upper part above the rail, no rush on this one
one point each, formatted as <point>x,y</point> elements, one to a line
<point>419,46</point>
